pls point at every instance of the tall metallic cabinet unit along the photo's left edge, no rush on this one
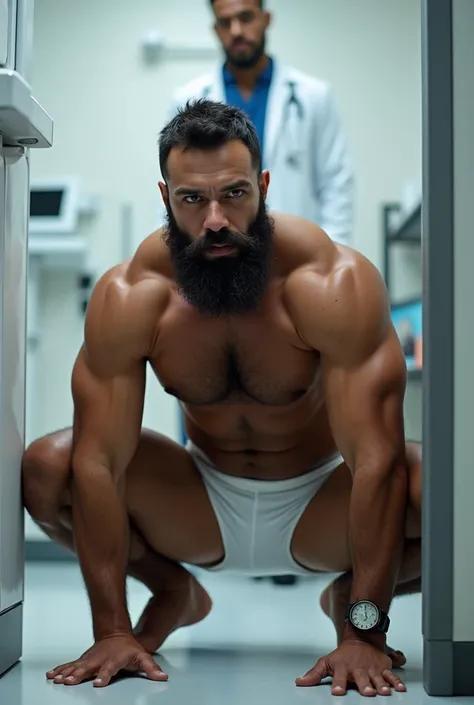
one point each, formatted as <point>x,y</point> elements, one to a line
<point>23,124</point>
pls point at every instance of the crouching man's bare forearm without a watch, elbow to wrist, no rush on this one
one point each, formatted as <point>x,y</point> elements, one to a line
<point>102,538</point>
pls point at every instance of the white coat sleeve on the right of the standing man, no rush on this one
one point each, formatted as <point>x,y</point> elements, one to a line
<point>333,171</point>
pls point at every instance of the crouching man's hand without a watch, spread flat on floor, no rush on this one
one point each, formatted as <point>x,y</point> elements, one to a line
<point>105,659</point>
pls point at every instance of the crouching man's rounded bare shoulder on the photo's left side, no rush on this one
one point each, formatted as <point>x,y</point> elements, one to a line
<point>126,306</point>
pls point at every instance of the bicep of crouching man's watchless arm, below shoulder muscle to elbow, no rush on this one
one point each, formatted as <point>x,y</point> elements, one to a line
<point>108,410</point>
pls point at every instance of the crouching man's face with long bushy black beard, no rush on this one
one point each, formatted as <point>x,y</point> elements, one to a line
<point>219,232</point>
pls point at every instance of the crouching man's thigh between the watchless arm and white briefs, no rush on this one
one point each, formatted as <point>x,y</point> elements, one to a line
<point>169,505</point>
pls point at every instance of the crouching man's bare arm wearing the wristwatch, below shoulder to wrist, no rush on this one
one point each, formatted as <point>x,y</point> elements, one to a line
<point>365,387</point>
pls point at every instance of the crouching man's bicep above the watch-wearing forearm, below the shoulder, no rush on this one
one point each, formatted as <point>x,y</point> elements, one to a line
<point>365,403</point>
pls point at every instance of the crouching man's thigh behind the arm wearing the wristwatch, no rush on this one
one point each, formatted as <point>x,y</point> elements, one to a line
<point>321,539</point>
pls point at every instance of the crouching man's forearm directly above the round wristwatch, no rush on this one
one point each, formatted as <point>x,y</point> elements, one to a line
<point>376,533</point>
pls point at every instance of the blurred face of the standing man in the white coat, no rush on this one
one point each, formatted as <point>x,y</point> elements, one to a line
<point>241,26</point>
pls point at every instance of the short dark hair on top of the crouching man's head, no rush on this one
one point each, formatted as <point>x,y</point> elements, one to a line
<point>205,124</point>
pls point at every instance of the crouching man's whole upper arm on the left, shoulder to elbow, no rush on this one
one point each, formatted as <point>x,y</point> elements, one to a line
<point>108,381</point>
